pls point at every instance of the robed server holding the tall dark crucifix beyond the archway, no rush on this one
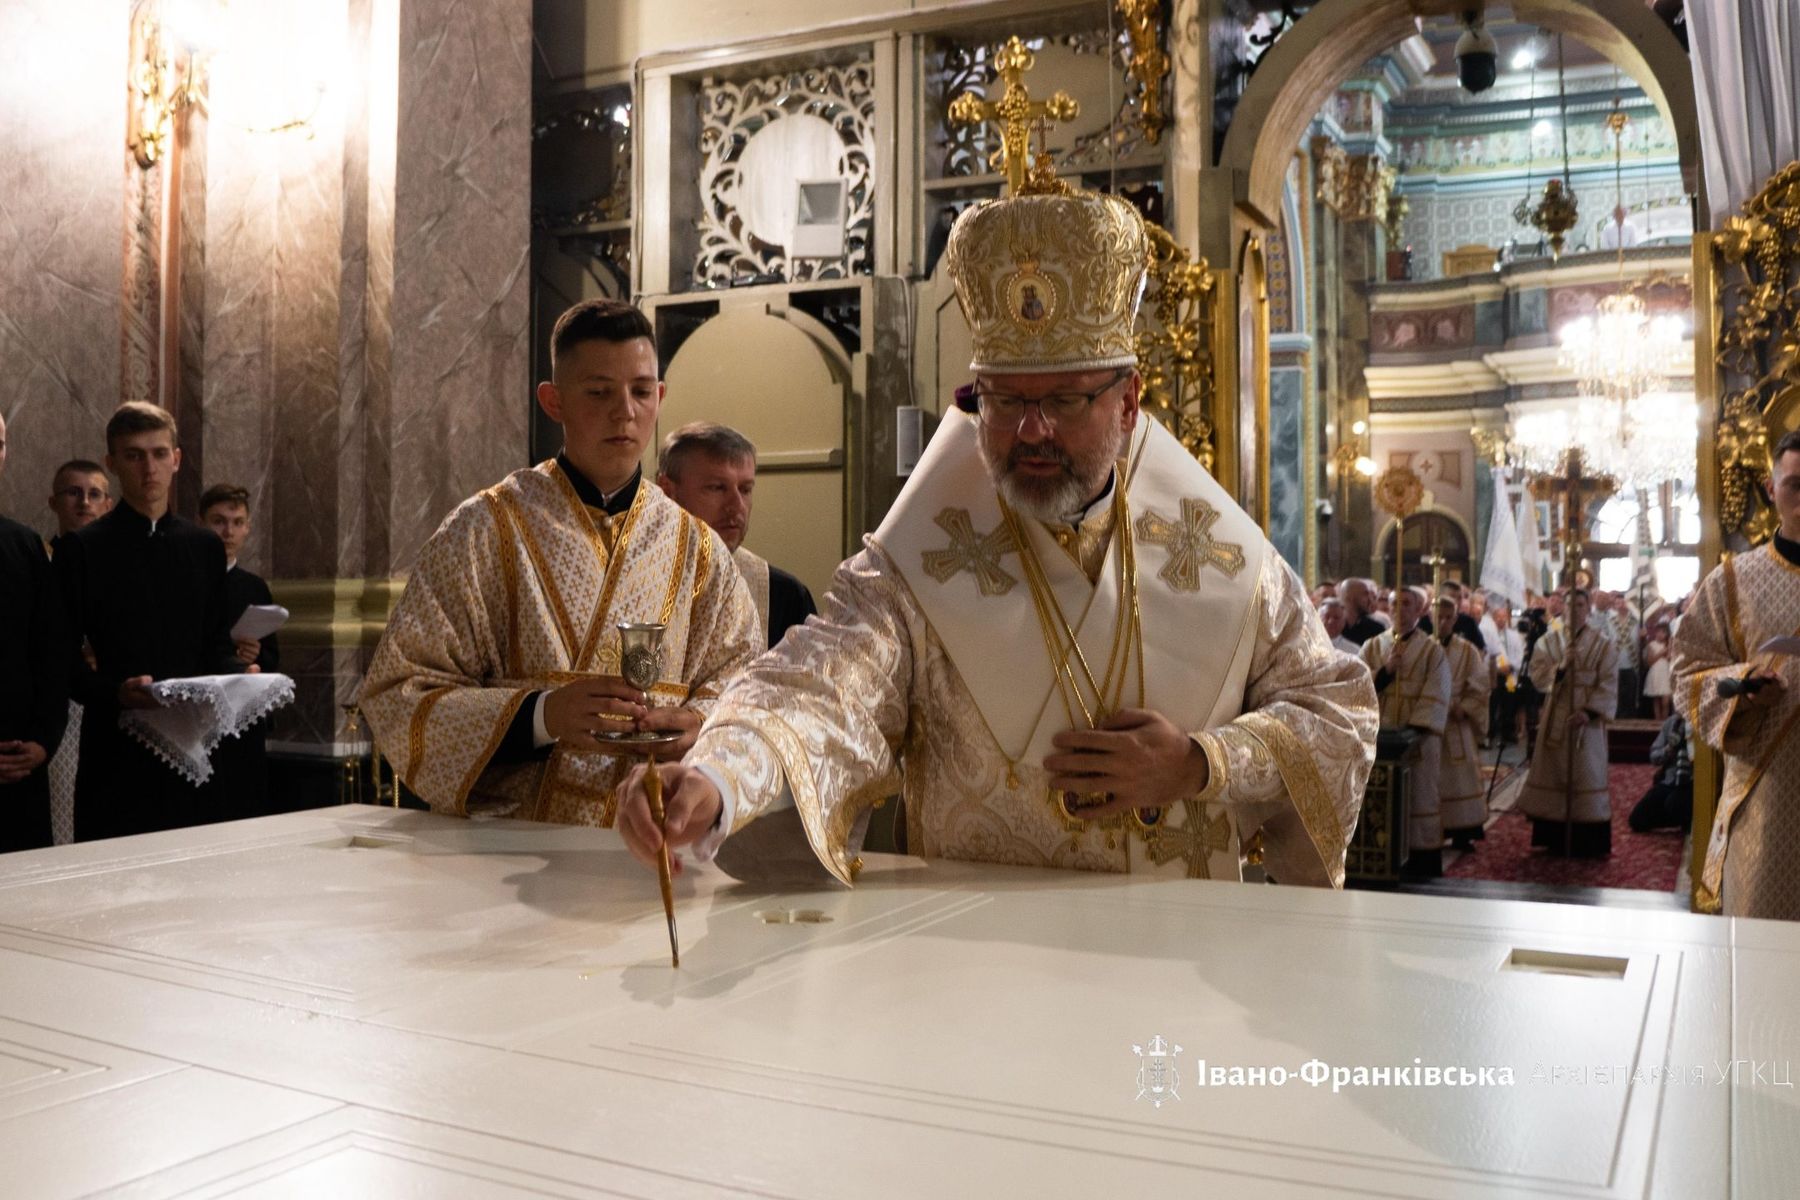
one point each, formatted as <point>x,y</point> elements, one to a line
<point>1567,793</point>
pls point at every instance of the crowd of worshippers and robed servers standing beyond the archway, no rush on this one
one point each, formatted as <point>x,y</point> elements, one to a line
<point>1500,667</point>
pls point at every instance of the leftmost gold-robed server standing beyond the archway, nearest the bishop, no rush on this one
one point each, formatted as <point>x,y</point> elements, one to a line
<point>1414,681</point>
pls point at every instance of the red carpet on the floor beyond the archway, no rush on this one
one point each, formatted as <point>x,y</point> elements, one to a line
<point>1648,861</point>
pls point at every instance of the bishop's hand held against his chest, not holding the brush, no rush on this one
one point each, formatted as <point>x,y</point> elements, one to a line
<point>1140,758</point>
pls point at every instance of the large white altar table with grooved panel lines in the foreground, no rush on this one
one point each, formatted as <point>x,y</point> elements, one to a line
<point>364,1001</point>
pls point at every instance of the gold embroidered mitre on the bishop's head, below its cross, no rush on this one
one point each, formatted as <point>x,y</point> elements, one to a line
<point>1050,282</point>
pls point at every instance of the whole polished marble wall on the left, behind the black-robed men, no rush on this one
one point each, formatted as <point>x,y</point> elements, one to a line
<point>354,296</point>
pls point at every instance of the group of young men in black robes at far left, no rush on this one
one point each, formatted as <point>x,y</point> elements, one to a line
<point>123,595</point>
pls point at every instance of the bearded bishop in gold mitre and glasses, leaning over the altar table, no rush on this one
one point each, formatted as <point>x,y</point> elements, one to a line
<point>1065,643</point>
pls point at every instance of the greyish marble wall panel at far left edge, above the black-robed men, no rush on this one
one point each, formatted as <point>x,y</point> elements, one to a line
<point>62,249</point>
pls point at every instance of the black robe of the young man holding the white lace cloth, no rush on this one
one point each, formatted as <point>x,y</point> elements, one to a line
<point>150,600</point>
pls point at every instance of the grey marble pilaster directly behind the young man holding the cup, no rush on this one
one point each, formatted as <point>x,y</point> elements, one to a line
<point>462,256</point>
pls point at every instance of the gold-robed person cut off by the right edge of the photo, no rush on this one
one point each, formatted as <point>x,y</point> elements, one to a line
<point>1754,850</point>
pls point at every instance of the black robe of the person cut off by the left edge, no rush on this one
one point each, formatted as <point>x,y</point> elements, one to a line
<point>33,681</point>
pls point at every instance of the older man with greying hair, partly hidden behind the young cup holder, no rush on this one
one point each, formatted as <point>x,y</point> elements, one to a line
<point>710,470</point>
